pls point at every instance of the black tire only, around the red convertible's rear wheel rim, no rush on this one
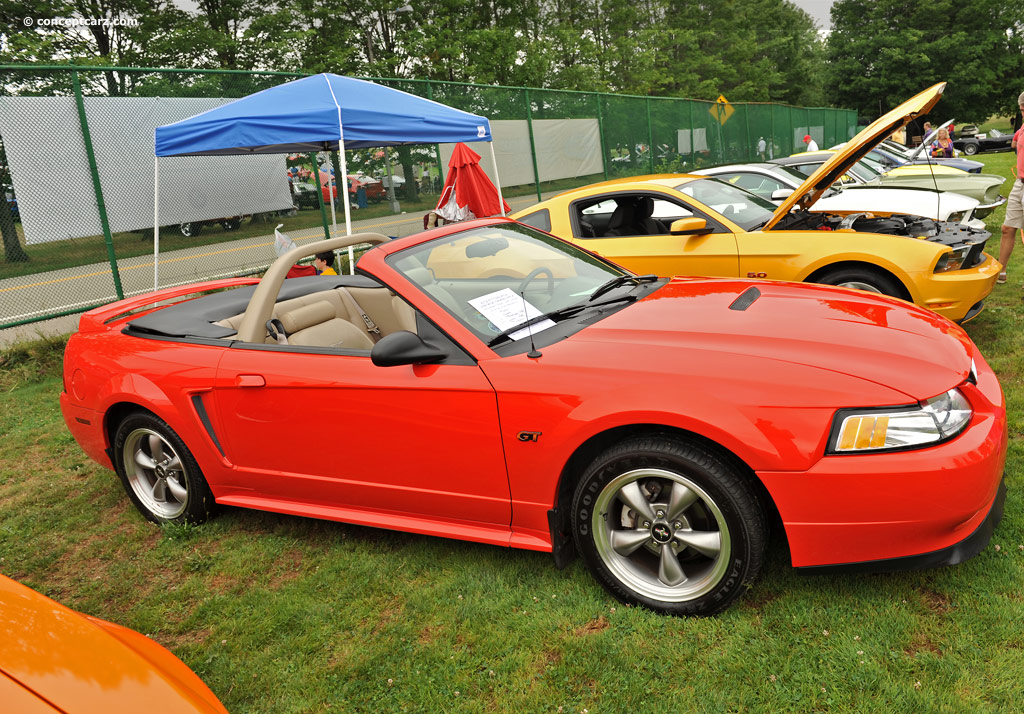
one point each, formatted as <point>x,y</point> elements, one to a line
<point>200,505</point>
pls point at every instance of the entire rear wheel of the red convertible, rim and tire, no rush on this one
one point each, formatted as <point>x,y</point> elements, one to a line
<point>160,474</point>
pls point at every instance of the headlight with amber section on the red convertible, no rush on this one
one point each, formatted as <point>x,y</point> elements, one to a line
<point>897,429</point>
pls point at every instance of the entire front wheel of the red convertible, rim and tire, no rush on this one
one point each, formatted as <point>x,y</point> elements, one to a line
<point>667,525</point>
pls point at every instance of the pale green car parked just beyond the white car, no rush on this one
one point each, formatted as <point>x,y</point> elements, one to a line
<point>984,188</point>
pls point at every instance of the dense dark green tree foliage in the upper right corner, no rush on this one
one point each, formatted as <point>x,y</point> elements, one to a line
<point>884,52</point>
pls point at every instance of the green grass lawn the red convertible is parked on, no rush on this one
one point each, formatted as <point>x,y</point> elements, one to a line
<point>282,614</point>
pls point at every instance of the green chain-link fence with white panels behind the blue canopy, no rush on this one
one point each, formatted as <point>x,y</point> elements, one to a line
<point>76,145</point>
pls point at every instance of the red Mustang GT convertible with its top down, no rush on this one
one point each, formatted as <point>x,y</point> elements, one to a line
<point>490,383</point>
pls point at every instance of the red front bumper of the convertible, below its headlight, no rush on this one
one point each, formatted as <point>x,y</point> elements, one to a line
<point>854,510</point>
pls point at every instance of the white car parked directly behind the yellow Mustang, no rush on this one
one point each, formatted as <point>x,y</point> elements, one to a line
<point>776,183</point>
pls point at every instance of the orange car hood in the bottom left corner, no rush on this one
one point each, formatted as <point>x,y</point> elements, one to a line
<point>79,664</point>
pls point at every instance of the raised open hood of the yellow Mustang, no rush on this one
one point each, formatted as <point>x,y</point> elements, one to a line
<point>856,150</point>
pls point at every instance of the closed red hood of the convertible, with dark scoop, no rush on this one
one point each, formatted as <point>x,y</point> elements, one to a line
<point>878,340</point>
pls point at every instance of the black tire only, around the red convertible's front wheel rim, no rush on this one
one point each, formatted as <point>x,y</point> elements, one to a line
<point>738,502</point>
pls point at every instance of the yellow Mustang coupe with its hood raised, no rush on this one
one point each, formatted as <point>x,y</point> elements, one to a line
<point>685,225</point>
